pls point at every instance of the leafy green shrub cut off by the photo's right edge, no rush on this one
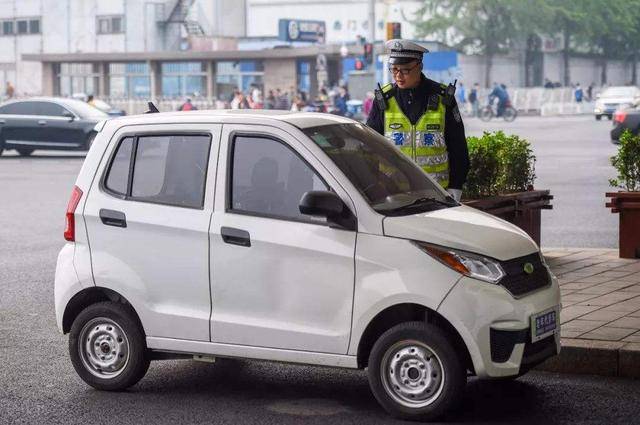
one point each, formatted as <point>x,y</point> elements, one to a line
<point>627,163</point>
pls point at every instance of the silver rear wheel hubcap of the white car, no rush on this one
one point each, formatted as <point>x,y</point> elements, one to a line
<point>104,348</point>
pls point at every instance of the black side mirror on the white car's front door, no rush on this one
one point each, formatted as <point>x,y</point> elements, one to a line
<point>327,204</point>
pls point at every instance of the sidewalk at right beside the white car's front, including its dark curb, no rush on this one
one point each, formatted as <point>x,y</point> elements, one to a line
<point>601,312</point>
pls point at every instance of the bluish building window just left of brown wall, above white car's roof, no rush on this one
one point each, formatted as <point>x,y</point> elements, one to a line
<point>240,74</point>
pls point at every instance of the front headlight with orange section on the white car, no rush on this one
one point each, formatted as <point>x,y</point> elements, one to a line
<point>466,263</point>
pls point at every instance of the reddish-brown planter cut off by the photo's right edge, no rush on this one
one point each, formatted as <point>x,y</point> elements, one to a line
<point>628,205</point>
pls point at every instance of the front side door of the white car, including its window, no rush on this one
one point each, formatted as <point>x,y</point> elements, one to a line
<point>279,279</point>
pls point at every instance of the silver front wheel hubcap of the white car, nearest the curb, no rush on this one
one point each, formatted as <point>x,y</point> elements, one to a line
<point>412,374</point>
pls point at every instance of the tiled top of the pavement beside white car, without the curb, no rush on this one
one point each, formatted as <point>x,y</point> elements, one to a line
<point>600,294</point>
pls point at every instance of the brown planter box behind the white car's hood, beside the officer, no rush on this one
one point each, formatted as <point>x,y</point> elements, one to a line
<point>521,209</point>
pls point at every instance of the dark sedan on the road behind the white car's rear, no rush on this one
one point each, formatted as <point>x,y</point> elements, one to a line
<point>47,123</point>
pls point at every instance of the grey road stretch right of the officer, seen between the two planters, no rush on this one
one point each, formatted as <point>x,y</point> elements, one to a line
<point>573,161</point>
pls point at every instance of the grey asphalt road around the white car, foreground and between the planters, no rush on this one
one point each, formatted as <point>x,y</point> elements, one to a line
<point>39,385</point>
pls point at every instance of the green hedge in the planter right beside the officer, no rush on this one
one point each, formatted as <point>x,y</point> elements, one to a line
<point>499,164</point>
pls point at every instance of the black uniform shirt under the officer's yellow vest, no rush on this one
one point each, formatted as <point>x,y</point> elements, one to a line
<point>413,103</point>
